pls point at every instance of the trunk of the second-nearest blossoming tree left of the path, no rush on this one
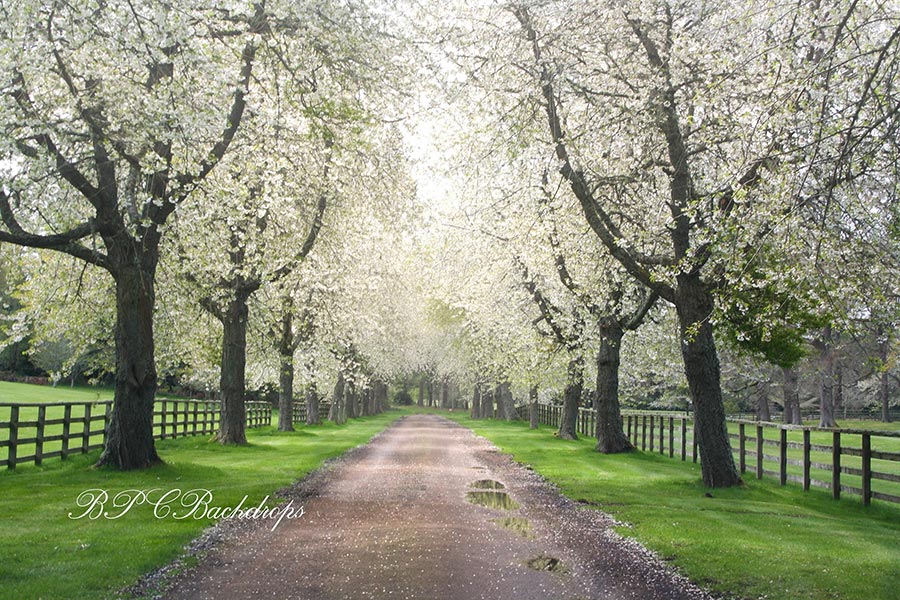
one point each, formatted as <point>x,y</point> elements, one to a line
<point>233,419</point>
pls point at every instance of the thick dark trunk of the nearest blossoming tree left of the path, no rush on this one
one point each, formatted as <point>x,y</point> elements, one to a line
<point>129,440</point>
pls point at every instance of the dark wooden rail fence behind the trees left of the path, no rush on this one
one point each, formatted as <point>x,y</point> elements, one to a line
<point>31,432</point>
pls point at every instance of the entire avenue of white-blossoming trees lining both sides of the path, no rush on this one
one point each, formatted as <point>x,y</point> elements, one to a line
<point>591,177</point>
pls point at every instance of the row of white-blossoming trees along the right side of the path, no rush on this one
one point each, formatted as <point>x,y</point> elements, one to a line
<point>736,162</point>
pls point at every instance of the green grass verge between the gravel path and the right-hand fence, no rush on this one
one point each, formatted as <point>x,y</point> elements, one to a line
<point>757,541</point>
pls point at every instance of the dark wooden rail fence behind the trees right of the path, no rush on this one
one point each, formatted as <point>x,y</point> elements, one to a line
<point>848,461</point>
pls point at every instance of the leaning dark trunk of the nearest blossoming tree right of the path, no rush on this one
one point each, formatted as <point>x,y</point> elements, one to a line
<point>694,305</point>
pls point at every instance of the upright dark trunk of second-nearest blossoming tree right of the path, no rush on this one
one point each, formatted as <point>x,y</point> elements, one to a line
<point>611,438</point>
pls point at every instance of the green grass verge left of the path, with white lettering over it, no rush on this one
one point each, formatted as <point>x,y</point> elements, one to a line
<point>45,554</point>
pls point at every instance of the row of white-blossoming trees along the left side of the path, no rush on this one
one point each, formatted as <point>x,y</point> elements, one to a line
<point>191,158</point>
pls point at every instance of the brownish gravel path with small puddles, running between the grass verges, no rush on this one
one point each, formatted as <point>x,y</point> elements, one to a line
<point>392,520</point>
